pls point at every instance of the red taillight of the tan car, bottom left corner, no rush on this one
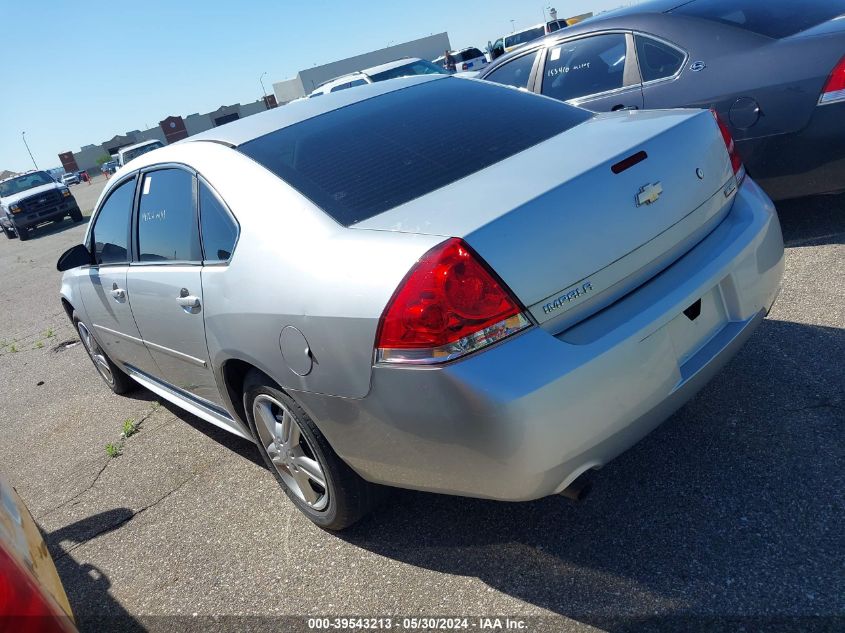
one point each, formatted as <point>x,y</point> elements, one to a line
<point>23,605</point>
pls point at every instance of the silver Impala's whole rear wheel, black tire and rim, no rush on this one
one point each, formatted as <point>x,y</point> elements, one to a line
<point>318,482</point>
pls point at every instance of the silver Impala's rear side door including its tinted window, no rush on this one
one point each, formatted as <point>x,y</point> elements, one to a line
<point>165,280</point>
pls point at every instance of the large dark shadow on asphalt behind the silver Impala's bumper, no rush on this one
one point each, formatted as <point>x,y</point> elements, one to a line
<point>730,508</point>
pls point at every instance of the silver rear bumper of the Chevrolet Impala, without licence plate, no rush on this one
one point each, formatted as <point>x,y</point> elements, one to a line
<point>524,418</point>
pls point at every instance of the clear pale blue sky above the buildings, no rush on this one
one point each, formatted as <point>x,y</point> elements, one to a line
<point>79,73</point>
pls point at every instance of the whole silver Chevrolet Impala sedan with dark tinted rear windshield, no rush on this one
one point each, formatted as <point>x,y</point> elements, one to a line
<point>430,283</point>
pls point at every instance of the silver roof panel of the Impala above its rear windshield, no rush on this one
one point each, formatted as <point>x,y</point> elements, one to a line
<point>246,129</point>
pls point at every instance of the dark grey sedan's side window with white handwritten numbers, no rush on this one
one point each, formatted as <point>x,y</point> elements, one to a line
<point>585,67</point>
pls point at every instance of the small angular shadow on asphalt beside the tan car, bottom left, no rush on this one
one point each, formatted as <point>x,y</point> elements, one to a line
<point>87,588</point>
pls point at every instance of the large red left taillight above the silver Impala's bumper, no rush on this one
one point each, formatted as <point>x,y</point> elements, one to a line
<point>448,305</point>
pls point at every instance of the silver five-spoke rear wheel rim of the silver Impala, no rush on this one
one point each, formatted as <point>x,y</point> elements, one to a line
<point>292,455</point>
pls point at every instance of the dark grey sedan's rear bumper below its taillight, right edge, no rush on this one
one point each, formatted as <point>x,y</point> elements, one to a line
<point>808,162</point>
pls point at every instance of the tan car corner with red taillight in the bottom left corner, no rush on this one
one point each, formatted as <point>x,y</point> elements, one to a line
<point>31,594</point>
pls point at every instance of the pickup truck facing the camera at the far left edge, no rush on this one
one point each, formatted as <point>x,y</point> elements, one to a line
<point>31,199</point>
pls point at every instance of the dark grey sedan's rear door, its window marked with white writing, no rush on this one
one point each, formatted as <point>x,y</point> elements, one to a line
<point>596,72</point>
